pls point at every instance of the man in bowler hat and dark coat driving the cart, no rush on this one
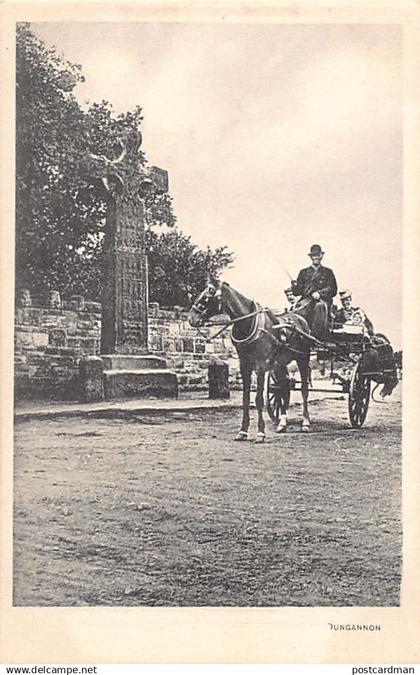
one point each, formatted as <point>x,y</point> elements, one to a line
<point>317,287</point>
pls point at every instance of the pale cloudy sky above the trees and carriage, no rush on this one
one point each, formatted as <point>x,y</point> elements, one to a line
<point>275,137</point>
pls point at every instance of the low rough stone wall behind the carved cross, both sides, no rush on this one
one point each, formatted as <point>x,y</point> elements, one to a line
<point>52,336</point>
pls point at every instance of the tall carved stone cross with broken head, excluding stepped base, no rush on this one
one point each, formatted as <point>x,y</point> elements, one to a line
<point>125,271</point>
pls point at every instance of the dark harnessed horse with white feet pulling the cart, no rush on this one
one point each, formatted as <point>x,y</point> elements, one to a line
<point>264,343</point>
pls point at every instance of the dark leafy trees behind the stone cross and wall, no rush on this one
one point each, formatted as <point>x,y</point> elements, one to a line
<point>59,212</point>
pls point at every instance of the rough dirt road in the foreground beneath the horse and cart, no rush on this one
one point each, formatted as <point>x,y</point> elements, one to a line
<point>167,509</point>
